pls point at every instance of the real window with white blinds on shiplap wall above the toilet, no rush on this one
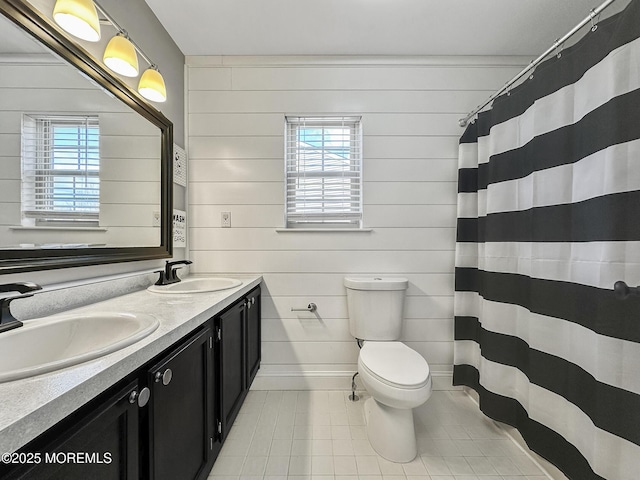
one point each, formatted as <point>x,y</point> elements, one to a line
<point>323,168</point>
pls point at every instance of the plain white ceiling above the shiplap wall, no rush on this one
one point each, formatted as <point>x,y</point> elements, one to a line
<point>369,27</point>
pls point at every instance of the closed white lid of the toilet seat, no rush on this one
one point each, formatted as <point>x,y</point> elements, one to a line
<point>394,363</point>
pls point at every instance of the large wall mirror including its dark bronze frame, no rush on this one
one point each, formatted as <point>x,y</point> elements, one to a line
<point>86,175</point>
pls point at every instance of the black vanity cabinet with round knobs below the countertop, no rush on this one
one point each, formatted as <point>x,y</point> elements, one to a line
<point>165,421</point>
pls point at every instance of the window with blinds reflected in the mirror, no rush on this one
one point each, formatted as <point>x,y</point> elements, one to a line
<point>60,170</point>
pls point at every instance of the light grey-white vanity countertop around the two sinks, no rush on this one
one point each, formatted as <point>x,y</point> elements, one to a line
<point>30,406</point>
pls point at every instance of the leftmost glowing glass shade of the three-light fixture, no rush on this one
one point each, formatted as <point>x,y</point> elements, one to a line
<point>79,18</point>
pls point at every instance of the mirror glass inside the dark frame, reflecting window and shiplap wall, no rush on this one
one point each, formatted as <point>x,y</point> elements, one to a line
<point>84,169</point>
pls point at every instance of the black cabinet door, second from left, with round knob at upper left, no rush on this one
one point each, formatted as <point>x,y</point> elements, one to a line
<point>180,411</point>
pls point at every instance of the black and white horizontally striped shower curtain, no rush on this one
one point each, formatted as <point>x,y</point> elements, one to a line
<point>548,220</point>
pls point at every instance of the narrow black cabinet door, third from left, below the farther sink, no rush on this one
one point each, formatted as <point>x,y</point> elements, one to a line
<point>231,364</point>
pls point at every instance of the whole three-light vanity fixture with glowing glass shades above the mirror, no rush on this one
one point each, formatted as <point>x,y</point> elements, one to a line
<point>80,19</point>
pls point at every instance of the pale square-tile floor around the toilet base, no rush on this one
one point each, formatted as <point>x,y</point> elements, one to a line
<point>320,435</point>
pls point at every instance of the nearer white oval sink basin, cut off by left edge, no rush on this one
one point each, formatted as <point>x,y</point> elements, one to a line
<point>47,344</point>
